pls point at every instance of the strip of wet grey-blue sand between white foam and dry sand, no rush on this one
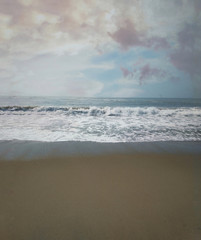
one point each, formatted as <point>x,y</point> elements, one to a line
<point>16,149</point>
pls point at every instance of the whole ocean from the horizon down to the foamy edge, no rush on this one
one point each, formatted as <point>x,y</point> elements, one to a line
<point>53,119</point>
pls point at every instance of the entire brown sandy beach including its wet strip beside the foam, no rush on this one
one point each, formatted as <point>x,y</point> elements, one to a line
<point>100,191</point>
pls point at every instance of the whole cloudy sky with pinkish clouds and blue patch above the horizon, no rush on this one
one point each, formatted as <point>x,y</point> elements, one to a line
<point>100,48</point>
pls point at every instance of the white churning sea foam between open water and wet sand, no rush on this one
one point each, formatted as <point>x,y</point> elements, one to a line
<point>100,124</point>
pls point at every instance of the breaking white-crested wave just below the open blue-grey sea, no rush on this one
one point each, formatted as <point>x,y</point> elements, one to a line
<point>102,111</point>
